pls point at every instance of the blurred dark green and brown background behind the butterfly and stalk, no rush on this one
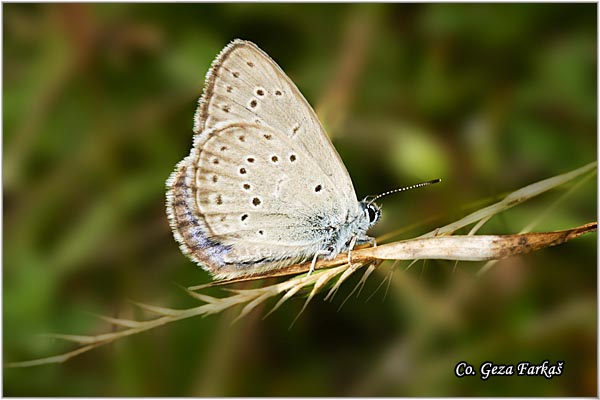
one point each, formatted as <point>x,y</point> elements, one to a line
<point>98,107</point>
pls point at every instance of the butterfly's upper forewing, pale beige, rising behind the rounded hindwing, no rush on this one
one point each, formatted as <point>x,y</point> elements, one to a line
<point>245,85</point>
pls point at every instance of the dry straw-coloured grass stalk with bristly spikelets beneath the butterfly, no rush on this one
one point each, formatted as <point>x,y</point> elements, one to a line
<point>437,244</point>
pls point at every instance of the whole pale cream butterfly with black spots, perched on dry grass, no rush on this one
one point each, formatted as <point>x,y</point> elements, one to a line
<point>263,186</point>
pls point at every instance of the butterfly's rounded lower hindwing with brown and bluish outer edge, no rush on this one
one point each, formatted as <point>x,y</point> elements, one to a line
<point>239,207</point>
